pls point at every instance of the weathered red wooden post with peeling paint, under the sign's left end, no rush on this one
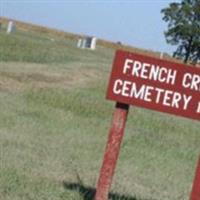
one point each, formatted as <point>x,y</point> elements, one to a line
<point>112,151</point>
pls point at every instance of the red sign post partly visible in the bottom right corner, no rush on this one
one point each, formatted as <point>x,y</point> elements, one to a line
<point>195,194</point>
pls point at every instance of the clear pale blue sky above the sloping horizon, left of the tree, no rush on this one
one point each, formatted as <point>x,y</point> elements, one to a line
<point>133,22</point>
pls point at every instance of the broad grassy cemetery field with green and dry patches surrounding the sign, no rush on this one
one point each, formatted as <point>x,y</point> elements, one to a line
<point>54,122</point>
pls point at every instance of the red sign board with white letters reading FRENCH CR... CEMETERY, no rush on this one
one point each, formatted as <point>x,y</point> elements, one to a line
<point>155,84</point>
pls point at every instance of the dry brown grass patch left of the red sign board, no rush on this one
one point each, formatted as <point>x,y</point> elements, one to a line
<point>16,76</point>
